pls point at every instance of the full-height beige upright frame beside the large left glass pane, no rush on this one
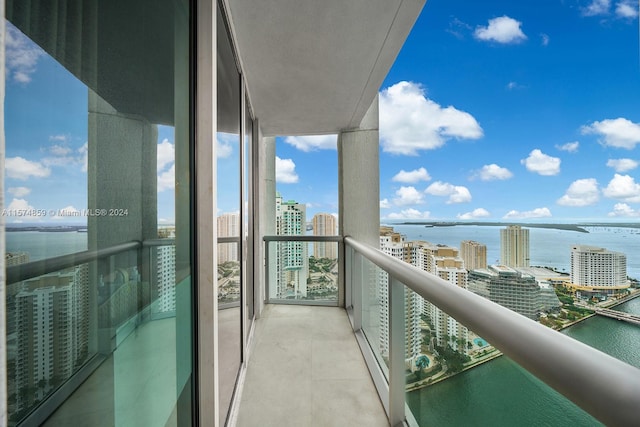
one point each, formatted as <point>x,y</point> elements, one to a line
<point>206,232</point>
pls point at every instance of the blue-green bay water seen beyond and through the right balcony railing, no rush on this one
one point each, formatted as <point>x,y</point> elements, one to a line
<point>500,392</point>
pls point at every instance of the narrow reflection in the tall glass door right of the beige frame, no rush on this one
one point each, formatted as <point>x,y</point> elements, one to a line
<point>229,198</point>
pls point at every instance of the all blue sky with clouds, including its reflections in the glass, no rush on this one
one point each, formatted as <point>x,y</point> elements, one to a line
<point>493,110</point>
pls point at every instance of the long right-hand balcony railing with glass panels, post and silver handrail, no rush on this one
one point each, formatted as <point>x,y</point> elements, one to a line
<point>416,330</point>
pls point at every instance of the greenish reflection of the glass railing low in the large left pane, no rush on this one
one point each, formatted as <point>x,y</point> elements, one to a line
<point>91,318</point>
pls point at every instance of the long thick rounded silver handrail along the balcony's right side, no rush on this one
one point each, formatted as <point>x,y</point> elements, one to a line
<point>602,385</point>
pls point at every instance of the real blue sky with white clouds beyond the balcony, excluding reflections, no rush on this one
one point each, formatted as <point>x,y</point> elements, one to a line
<point>502,110</point>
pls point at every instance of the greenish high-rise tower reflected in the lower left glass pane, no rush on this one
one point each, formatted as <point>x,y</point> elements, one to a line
<point>52,326</point>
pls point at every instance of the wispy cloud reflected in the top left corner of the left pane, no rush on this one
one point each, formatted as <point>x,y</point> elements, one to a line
<point>21,55</point>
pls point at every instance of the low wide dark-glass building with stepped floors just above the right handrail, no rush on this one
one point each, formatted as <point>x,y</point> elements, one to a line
<point>513,289</point>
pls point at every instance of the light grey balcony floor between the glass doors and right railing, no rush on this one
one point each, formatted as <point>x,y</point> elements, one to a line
<point>306,369</point>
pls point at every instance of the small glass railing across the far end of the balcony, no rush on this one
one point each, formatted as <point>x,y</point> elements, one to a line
<point>303,269</point>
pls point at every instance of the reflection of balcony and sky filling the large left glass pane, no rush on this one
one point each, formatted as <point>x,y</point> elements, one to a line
<point>97,142</point>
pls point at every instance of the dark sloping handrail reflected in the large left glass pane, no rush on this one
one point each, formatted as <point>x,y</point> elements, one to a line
<point>29,270</point>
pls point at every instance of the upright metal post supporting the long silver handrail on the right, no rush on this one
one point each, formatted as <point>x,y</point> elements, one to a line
<point>396,352</point>
